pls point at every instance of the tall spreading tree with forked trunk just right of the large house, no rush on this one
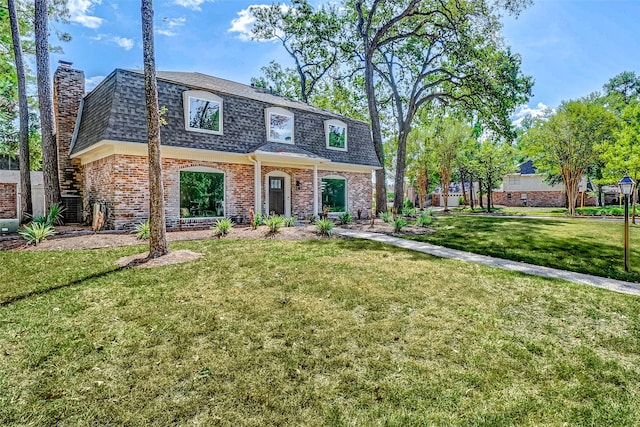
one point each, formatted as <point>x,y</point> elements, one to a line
<point>426,52</point>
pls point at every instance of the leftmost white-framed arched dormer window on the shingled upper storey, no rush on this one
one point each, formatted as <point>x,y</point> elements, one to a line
<point>202,112</point>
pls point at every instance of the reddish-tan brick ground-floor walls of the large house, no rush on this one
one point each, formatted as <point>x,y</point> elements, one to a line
<point>120,184</point>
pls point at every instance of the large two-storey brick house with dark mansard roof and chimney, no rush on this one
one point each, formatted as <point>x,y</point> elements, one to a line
<point>226,148</point>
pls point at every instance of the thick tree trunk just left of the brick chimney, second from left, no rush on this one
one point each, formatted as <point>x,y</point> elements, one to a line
<point>45,99</point>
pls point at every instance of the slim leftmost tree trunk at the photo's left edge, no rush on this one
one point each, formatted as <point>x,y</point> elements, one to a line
<point>26,204</point>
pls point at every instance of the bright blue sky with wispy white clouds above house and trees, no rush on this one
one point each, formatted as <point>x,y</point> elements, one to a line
<point>570,47</point>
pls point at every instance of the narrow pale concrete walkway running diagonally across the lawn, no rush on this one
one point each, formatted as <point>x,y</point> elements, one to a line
<point>535,270</point>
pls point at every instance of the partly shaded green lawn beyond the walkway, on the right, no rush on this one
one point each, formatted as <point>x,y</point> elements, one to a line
<point>586,246</point>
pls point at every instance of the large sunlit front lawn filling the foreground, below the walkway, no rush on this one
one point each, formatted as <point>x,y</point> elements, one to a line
<point>332,332</point>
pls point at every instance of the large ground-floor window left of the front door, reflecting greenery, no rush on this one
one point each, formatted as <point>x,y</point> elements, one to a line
<point>201,194</point>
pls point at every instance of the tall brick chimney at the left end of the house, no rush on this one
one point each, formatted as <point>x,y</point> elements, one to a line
<point>68,90</point>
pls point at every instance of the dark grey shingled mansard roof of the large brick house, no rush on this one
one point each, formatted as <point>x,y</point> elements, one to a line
<point>115,110</point>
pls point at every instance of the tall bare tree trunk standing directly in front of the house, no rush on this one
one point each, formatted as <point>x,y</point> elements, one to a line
<point>157,225</point>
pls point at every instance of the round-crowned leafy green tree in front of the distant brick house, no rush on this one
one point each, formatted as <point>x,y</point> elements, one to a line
<point>564,143</point>
